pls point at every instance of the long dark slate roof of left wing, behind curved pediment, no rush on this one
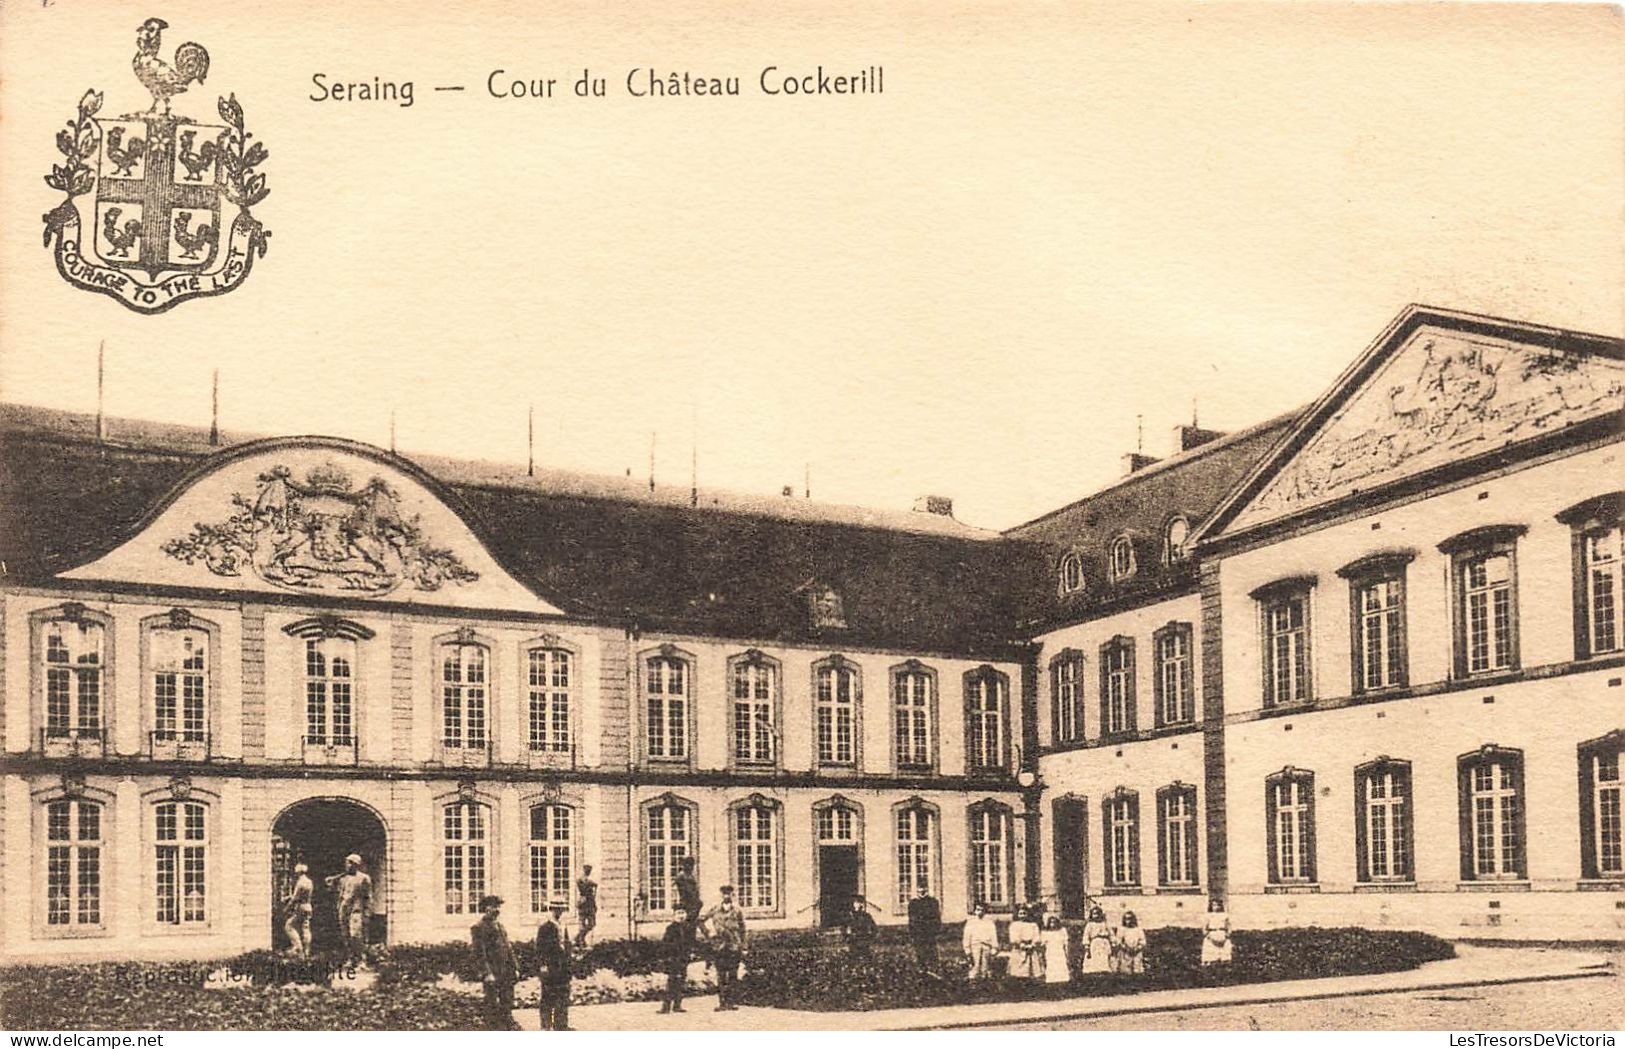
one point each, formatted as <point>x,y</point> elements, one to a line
<point>66,499</point>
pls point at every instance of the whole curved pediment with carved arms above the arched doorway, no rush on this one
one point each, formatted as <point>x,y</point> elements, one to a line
<point>314,517</point>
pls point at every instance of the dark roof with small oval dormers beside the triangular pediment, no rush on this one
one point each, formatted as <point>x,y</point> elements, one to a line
<point>1140,506</point>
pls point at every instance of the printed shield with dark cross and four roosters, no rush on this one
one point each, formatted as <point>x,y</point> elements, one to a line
<point>158,196</point>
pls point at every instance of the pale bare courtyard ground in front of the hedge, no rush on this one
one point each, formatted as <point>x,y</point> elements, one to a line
<point>1484,988</point>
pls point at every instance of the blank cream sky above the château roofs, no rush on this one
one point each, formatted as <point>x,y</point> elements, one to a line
<point>1054,220</point>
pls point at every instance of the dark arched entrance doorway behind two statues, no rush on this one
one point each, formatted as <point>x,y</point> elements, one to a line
<point>321,834</point>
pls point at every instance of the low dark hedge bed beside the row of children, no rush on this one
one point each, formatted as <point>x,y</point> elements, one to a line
<point>890,978</point>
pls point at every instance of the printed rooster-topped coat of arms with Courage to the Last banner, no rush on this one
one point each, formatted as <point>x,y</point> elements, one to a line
<point>168,202</point>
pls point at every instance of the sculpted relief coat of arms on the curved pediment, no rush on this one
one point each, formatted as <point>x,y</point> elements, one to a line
<point>323,535</point>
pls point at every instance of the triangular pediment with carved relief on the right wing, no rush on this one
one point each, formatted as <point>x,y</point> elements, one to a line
<point>1437,391</point>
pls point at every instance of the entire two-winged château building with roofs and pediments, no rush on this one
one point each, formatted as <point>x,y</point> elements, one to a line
<point>1354,665</point>
